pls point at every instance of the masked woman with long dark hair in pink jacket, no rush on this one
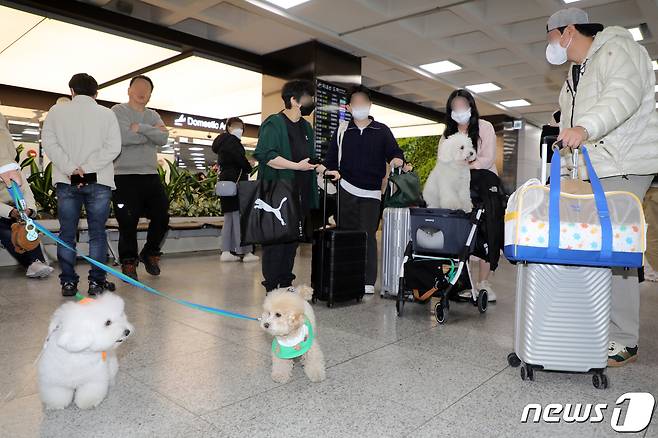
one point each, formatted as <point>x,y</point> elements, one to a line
<point>462,116</point>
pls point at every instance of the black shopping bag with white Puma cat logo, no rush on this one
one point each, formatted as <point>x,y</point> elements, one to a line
<point>269,212</point>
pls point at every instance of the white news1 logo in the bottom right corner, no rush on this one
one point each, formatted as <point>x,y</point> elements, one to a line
<point>639,411</point>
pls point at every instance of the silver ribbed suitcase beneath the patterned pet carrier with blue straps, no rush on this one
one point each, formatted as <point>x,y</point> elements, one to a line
<point>562,317</point>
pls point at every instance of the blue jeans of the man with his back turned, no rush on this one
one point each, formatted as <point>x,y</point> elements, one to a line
<point>96,200</point>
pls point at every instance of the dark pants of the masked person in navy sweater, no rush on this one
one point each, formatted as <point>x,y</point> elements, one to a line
<point>362,214</point>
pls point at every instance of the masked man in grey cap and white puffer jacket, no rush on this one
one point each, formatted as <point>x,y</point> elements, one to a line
<point>608,103</point>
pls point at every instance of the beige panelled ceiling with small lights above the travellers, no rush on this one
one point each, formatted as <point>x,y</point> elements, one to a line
<point>501,41</point>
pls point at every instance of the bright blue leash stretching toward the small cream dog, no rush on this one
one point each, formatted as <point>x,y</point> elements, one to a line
<point>17,197</point>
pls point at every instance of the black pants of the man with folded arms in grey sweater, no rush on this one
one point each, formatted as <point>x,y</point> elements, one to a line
<point>140,196</point>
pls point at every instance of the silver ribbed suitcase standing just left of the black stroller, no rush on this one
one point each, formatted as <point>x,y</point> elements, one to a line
<point>395,237</point>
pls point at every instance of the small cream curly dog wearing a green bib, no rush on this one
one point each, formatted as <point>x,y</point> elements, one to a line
<point>289,317</point>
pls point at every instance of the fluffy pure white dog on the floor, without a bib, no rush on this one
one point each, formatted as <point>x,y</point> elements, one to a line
<point>78,361</point>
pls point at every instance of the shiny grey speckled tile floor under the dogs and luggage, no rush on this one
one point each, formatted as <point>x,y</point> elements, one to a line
<point>189,374</point>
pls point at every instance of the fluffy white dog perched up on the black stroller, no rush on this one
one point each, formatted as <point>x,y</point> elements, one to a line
<point>448,185</point>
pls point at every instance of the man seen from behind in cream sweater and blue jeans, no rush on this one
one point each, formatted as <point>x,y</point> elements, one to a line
<point>82,139</point>
